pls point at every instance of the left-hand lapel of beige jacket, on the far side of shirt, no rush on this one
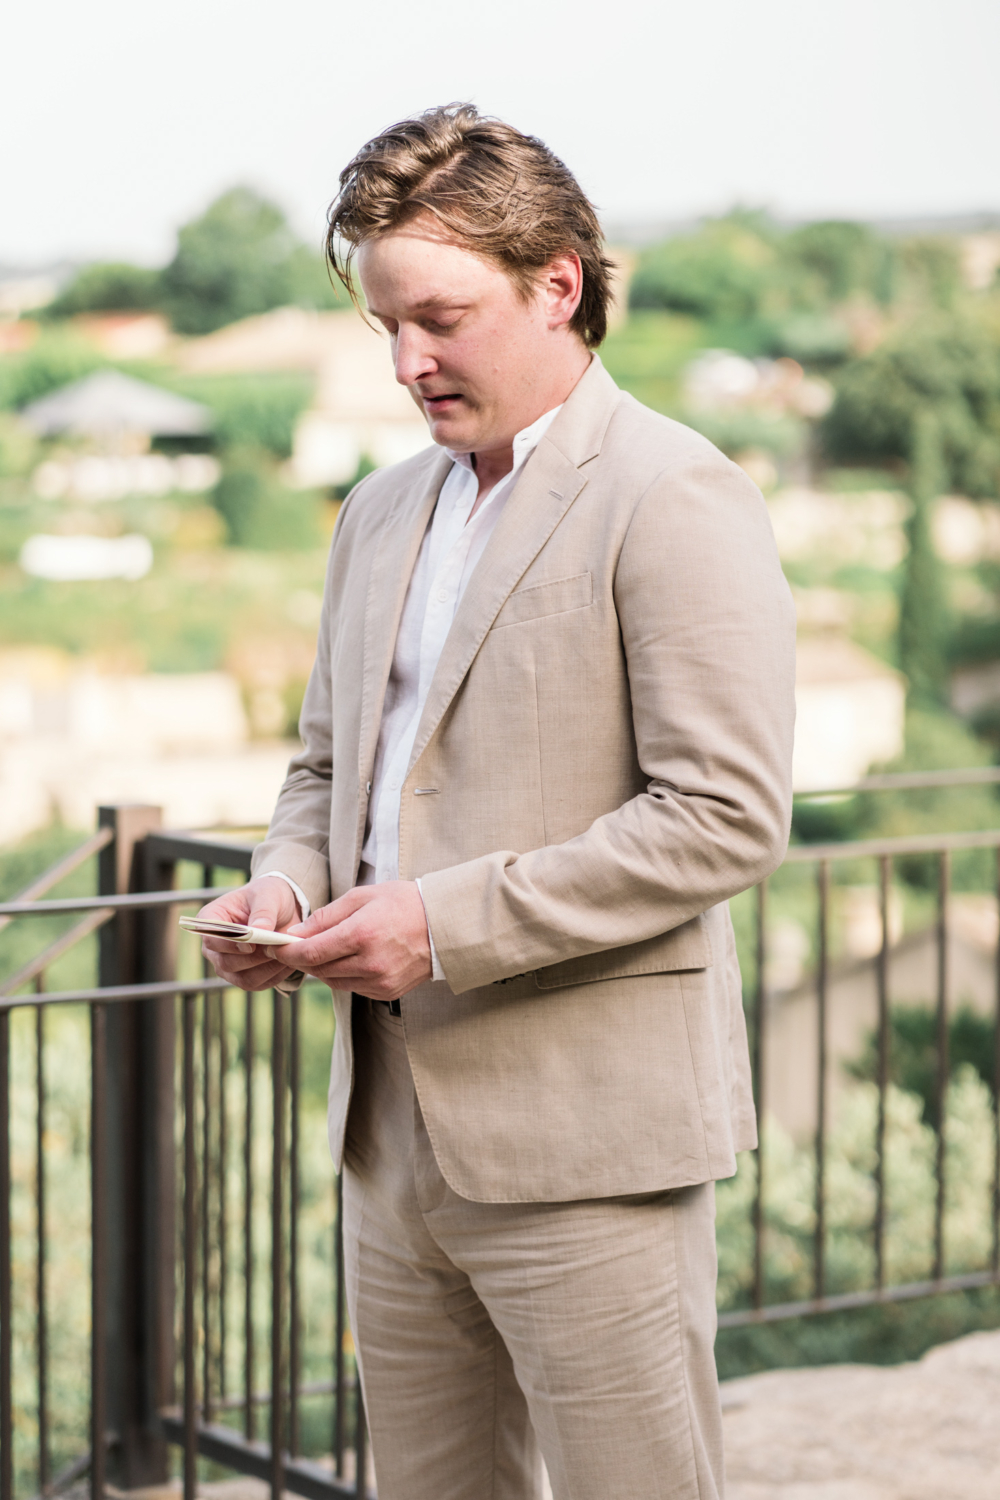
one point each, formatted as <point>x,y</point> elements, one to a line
<point>389,580</point>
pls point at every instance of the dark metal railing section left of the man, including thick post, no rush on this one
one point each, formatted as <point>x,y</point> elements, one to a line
<point>161,1165</point>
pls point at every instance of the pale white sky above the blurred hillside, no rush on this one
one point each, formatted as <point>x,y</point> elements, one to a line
<point>122,121</point>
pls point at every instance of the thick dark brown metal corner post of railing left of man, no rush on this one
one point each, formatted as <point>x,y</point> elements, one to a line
<point>139,1271</point>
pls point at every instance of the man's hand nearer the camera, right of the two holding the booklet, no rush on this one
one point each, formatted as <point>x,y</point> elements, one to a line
<point>373,941</point>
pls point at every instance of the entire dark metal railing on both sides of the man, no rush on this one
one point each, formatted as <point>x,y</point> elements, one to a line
<point>197,1199</point>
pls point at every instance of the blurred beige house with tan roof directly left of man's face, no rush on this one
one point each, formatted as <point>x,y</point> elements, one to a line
<point>358,410</point>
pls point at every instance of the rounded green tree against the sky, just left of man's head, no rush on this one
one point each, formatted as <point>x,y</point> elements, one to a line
<point>241,259</point>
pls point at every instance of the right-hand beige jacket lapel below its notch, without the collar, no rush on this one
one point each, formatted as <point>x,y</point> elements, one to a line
<point>534,509</point>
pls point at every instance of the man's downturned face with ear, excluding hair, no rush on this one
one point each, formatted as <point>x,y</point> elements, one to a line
<point>479,361</point>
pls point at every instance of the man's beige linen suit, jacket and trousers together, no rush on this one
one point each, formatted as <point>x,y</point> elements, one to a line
<point>603,761</point>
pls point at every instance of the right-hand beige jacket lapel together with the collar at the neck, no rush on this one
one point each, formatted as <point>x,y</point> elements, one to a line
<point>551,482</point>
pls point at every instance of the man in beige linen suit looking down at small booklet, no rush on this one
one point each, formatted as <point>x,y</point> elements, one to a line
<point>546,739</point>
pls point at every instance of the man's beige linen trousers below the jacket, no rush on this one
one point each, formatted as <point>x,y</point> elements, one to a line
<point>493,1336</point>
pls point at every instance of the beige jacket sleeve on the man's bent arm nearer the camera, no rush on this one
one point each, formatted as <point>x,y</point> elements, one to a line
<point>708,631</point>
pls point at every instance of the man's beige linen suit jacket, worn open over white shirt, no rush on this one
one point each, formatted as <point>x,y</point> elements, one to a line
<point>603,761</point>
